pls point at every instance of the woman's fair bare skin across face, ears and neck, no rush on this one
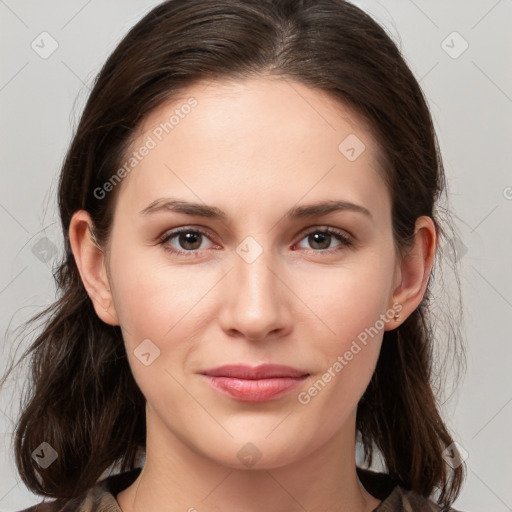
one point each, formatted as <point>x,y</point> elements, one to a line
<point>254,149</point>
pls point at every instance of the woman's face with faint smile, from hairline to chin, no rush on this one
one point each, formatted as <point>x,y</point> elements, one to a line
<point>252,280</point>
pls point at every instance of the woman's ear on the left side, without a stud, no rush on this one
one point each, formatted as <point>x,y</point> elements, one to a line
<point>91,263</point>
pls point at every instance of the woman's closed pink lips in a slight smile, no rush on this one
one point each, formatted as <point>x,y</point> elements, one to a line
<point>254,384</point>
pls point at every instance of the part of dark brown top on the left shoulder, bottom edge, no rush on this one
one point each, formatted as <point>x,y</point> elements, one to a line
<point>99,498</point>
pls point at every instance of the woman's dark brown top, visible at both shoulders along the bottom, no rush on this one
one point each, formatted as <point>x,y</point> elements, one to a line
<point>102,497</point>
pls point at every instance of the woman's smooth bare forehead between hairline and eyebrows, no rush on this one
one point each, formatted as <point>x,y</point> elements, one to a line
<point>260,140</point>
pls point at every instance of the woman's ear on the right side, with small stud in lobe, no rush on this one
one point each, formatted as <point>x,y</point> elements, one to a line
<point>411,277</point>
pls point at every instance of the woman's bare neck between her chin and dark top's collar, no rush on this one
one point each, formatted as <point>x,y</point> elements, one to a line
<point>179,479</point>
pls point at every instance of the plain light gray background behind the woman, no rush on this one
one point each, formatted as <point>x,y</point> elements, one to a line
<point>470,94</point>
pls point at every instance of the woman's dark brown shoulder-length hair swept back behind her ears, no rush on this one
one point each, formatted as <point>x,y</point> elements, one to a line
<point>82,397</point>
